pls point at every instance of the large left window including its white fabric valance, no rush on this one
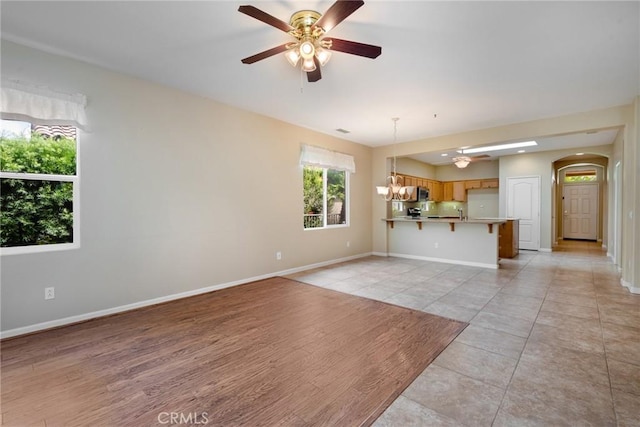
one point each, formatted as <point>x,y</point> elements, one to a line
<point>39,173</point>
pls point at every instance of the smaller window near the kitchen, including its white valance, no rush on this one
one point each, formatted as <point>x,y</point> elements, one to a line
<point>325,176</point>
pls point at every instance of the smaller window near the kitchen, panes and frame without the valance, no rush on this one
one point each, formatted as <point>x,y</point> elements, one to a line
<point>325,197</point>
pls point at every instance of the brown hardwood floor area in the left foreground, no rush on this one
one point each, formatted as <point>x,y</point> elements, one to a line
<point>273,352</point>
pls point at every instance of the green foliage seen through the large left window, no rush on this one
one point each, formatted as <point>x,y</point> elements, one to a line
<point>36,211</point>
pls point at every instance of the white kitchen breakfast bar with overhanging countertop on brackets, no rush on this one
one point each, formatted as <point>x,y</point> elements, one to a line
<point>472,242</point>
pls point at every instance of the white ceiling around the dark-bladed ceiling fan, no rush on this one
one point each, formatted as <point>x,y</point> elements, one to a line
<point>446,67</point>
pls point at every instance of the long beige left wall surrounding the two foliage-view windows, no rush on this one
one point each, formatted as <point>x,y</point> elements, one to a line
<point>178,193</point>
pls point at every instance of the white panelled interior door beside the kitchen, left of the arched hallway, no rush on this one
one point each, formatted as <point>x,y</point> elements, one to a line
<point>523,203</point>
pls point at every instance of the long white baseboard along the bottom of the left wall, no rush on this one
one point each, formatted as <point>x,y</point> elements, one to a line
<point>127,307</point>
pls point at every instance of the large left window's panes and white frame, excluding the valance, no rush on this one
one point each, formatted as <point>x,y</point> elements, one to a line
<point>39,187</point>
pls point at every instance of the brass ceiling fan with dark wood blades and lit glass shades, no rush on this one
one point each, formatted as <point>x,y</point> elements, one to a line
<point>308,28</point>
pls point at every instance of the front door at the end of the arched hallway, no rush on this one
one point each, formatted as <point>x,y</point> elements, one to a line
<point>580,211</point>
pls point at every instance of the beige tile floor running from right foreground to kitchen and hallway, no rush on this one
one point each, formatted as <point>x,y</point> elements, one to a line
<point>553,339</point>
